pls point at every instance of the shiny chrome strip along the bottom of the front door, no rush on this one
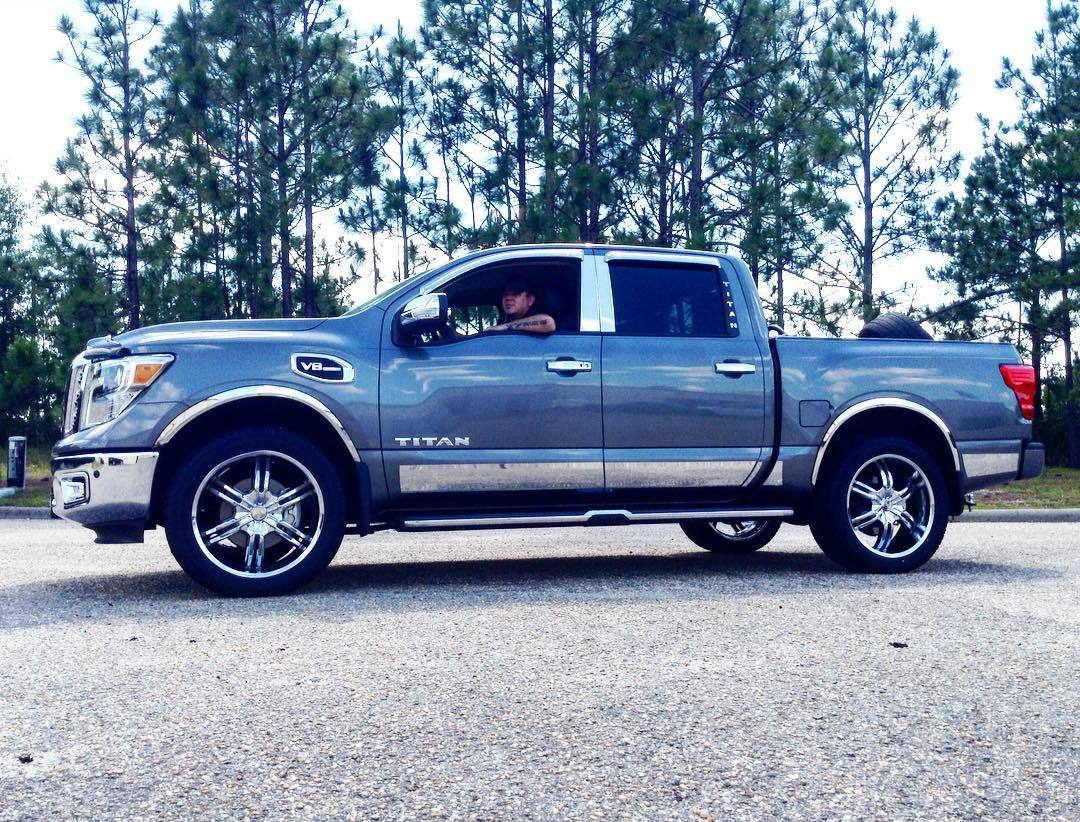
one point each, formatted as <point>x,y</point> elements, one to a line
<point>479,477</point>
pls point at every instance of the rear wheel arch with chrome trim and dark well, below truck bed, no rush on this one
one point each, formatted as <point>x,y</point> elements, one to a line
<point>896,417</point>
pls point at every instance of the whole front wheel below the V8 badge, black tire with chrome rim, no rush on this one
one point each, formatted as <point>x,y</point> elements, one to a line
<point>223,525</point>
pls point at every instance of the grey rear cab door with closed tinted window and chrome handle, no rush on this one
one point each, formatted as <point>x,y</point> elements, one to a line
<point>684,380</point>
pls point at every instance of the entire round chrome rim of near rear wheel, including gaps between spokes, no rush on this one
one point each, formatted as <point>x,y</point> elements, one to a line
<point>890,506</point>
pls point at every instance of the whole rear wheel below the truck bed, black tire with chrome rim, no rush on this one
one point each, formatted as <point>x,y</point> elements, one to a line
<point>882,521</point>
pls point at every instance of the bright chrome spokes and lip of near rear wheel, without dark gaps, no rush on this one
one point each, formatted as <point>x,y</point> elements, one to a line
<point>890,513</point>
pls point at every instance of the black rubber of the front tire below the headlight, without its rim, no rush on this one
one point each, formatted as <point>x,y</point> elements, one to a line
<point>191,476</point>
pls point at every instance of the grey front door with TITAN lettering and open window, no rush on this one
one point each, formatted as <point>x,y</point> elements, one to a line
<point>488,421</point>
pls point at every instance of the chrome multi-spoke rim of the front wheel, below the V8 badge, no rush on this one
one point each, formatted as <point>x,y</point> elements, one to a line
<point>258,515</point>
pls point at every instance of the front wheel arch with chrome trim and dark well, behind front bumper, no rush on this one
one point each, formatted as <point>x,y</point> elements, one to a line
<point>264,406</point>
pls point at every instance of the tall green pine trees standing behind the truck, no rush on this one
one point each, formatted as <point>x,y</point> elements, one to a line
<point>263,158</point>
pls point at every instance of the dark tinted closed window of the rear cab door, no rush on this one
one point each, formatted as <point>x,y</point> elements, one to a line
<point>654,300</point>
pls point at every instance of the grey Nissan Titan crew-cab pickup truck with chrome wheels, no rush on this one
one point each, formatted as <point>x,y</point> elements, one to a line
<point>660,397</point>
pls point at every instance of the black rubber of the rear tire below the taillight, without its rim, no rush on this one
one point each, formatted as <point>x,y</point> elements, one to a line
<point>831,525</point>
